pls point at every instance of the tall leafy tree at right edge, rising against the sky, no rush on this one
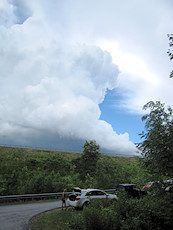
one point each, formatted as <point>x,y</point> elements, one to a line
<point>157,147</point>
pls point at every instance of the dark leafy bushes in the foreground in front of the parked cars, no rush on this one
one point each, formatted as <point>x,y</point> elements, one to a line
<point>153,211</point>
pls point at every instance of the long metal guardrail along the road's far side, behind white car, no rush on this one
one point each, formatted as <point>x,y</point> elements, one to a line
<point>39,196</point>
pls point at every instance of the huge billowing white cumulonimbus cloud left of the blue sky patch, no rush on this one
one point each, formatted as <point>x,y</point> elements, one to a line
<point>48,85</point>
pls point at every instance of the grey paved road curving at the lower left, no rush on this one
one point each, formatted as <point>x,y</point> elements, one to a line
<point>16,217</point>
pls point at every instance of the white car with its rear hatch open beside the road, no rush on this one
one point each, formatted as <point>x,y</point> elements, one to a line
<point>82,199</point>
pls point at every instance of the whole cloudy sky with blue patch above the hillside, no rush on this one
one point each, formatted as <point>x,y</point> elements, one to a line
<point>77,70</point>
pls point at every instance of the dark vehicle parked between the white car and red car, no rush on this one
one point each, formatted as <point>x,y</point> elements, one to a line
<point>131,189</point>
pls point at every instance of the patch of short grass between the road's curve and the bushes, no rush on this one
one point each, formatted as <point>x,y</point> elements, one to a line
<point>56,219</point>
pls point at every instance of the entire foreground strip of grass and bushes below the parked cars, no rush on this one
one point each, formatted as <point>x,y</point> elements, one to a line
<point>152,212</point>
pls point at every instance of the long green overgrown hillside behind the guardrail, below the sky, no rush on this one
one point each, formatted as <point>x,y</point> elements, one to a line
<point>25,171</point>
